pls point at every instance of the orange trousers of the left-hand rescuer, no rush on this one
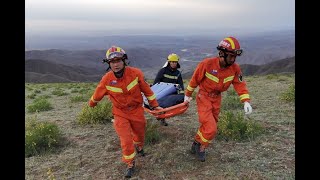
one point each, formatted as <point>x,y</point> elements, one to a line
<point>131,133</point>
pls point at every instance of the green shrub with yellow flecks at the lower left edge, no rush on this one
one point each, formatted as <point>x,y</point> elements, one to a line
<point>41,137</point>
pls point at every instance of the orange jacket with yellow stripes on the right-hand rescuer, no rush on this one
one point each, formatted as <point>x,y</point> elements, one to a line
<point>213,79</point>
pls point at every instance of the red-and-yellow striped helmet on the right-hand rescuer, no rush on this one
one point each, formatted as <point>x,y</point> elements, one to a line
<point>230,44</point>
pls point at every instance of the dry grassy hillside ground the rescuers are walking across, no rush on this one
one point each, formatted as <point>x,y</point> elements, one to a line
<point>93,151</point>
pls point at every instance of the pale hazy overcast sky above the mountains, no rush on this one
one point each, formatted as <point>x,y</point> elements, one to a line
<point>163,17</point>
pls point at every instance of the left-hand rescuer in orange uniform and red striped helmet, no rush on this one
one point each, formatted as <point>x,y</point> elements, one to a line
<point>124,85</point>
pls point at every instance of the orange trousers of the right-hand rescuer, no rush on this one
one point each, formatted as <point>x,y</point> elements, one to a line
<point>208,113</point>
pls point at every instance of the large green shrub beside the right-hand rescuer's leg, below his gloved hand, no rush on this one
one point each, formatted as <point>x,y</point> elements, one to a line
<point>233,126</point>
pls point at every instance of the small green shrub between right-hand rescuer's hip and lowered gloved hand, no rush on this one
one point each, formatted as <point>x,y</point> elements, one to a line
<point>230,100</point>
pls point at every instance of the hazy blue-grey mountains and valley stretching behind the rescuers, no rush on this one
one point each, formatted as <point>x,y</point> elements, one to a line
<point>75,61</point>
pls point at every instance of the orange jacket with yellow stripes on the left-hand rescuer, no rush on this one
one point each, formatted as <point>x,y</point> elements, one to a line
<point>124,93</point>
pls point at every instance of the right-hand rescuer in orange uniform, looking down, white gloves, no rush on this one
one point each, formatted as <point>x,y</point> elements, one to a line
<point>214,75</point>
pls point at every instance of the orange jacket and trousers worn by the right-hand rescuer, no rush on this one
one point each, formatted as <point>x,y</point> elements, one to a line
<point>212,80</point>
